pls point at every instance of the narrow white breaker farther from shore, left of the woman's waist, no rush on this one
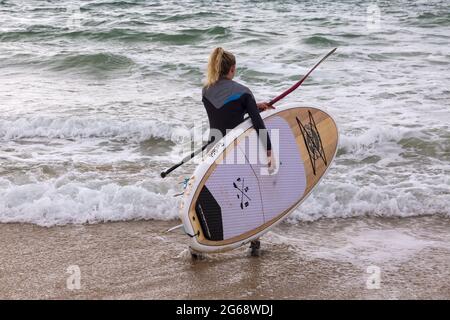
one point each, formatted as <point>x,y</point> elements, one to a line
<point>82,128</point>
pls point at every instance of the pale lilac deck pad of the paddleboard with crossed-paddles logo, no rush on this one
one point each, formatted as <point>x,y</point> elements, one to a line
<point>267,196</point>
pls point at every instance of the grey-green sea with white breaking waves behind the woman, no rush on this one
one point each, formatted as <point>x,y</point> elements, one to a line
<point>97,98</point>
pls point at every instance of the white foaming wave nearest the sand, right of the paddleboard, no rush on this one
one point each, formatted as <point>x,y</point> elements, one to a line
<point>349,199</point>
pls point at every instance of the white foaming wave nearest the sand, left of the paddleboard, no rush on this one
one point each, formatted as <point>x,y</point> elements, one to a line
<point>59,202</point>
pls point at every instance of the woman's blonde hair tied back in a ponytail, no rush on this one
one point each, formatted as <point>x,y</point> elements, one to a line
<point>219,64</point>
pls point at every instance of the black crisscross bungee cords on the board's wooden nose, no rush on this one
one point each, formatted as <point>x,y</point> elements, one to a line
<point>313,141</point>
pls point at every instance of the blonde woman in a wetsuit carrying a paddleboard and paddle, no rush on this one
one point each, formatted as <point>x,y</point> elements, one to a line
<point>226,102</point>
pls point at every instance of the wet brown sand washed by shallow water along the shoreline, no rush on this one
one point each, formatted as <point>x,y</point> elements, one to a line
<point>326,259</point>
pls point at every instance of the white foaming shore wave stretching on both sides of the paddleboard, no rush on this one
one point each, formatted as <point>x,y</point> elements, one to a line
<point>63,200</point>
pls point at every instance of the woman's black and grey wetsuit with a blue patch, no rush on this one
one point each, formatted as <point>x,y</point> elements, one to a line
<point>226,103</point>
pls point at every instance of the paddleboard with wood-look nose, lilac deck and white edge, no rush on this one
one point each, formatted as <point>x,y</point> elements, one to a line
<point>232,199</point>
